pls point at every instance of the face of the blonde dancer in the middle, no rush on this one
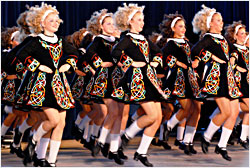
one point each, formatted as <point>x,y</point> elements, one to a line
<point>137,22</point>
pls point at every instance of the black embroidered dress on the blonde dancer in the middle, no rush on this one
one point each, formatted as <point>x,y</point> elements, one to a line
<point>138,84</point>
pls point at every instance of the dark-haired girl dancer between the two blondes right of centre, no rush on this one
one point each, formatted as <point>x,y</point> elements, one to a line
<point>181,81</point>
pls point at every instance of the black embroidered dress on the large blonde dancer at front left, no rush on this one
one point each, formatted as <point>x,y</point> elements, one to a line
<point>49,90</point>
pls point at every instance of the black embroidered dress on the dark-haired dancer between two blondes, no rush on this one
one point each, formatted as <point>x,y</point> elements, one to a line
<point>179,82</point>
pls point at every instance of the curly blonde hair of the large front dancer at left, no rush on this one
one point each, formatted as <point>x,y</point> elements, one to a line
<point>35,16</point>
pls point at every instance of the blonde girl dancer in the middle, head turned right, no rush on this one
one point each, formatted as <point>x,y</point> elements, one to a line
<point>139,83</point>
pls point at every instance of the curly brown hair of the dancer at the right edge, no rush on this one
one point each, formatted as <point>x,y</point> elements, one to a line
<point>230,31</point>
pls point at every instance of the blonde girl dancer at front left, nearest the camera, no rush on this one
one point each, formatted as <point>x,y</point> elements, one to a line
<point>50,89</point>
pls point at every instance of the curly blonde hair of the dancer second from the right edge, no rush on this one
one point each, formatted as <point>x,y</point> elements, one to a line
<point>200,20</point>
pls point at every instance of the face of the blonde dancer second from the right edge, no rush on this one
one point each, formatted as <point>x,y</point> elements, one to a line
<point>216,24</point>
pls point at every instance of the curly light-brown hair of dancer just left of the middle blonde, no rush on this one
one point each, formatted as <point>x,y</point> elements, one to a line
<point>94,23</point>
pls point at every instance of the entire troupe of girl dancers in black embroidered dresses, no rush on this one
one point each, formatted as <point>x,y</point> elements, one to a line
<point>115,66</point>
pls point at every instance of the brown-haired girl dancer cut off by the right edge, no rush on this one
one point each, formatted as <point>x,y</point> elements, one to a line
<point>236,34</point>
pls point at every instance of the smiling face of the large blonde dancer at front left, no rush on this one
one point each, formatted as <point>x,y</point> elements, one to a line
<point>51,23</point>
